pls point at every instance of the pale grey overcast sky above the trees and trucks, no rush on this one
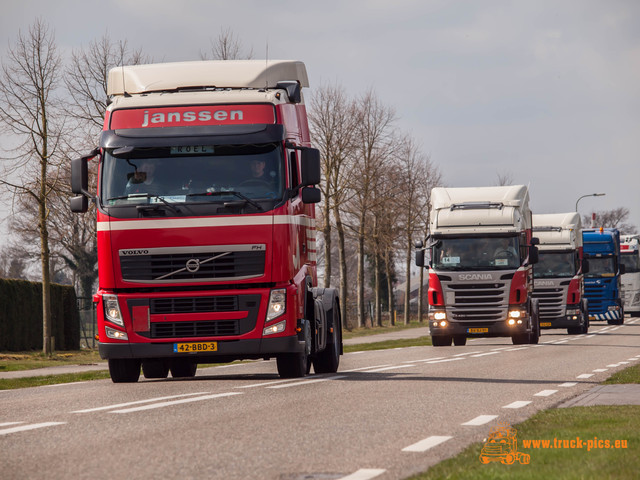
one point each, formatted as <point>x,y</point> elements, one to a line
<point>546,92</point>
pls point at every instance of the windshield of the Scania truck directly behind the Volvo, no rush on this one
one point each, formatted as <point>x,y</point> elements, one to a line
<point>475,253</point>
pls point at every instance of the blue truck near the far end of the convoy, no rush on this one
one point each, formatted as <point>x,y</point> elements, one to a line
<point>602,283</point>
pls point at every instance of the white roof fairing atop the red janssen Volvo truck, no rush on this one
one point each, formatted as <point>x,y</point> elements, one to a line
<point>157,77</point>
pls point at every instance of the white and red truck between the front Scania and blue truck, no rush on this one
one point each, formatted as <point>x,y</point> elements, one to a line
<point>558,280</point>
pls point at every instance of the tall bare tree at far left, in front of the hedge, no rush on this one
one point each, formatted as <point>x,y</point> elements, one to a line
<point>29,111</point>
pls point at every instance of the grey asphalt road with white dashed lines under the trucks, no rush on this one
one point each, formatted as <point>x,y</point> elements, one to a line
<point>386,414</point>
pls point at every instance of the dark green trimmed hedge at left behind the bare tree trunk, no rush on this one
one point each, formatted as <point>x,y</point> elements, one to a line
<point>21,316</point>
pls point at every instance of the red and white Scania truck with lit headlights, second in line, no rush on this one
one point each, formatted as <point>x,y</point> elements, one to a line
<point>481,255</point>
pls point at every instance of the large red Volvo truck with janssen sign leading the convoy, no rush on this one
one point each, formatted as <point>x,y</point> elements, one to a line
<point>206,223</point>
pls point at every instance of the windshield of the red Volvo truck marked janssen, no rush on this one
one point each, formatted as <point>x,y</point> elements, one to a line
<point>199,174</point>
